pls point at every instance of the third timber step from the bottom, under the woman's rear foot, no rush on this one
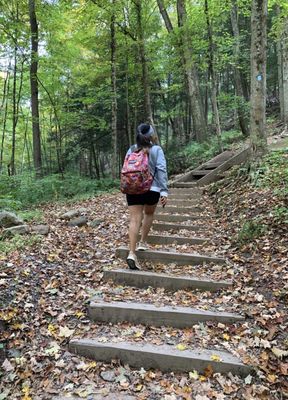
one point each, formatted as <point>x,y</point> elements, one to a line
<point>144,279</point>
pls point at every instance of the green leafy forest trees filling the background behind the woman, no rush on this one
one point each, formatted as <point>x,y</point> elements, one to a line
<point>94,69</point>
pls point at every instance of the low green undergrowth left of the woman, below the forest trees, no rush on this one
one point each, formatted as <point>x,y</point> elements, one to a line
<point>22,191</point>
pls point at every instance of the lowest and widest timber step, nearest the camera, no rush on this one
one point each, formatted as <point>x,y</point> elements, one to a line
<point>164,357</point>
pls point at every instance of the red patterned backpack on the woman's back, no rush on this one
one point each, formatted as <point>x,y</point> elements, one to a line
<point>136,177</point>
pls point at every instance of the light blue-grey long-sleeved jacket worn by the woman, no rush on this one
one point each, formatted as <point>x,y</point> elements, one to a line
<point>157,166</point>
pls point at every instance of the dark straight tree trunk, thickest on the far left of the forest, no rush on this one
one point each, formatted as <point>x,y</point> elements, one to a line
<point>34,90</point>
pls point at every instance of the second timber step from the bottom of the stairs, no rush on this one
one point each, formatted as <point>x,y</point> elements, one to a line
<point>150,315</point>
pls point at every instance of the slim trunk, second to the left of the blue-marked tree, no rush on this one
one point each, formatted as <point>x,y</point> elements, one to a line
<point>213,78</point>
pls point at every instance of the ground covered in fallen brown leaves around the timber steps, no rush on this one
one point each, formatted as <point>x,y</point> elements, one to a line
<point>45,290</point>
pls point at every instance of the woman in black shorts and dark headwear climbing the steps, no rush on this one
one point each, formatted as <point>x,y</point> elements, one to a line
<point>142,206</point>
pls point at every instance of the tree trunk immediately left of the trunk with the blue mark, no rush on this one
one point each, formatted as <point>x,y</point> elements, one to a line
<point>243,118</point>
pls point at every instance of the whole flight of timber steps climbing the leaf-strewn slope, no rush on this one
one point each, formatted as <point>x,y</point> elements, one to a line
<point>183,202</point>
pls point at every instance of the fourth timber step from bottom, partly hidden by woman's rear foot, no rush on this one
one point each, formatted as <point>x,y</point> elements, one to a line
<point>171,257</point>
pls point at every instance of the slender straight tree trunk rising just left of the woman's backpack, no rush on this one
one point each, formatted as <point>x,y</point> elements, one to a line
<point>114,94</point>
